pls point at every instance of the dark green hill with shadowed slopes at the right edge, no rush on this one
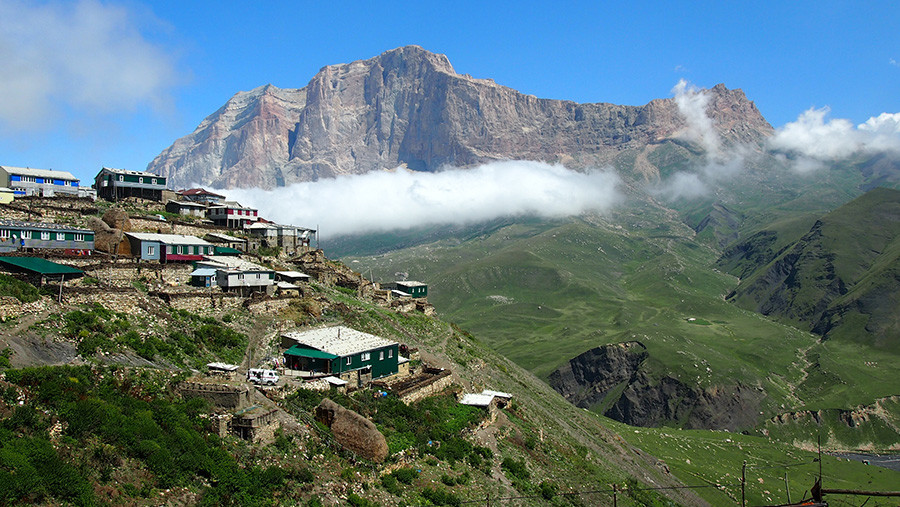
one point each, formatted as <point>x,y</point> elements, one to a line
<point>839,280</point>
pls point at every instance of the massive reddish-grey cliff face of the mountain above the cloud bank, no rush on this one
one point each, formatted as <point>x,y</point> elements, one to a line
<point>408,107</point>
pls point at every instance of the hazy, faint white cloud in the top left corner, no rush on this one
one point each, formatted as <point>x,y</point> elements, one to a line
<point>86,56</point>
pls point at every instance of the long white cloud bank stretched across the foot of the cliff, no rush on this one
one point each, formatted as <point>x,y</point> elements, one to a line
<point>401,199</point>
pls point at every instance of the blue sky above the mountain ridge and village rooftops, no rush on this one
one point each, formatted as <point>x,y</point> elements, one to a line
<point>88,83</point>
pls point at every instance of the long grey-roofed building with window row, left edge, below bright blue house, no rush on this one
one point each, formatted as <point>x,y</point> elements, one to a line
<point>15,235</point>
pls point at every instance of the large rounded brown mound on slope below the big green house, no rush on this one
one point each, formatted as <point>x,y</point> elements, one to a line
<point>353,431</point>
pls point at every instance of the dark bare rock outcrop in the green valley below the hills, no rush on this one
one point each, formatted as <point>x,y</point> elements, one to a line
<point>611,377</point>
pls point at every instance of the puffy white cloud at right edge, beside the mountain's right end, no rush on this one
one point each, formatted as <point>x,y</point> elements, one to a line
<point>814,137</point>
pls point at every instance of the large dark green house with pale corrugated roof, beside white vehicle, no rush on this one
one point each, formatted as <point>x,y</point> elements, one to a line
<point>342,352</point>
